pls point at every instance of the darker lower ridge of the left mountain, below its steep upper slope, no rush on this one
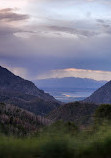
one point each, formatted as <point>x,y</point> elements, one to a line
<point>29,102</point>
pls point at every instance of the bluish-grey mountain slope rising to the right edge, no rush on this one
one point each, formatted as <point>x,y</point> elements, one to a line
<point>102,95</point>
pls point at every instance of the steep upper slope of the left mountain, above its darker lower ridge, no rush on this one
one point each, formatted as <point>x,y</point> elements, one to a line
<point>11,82</point>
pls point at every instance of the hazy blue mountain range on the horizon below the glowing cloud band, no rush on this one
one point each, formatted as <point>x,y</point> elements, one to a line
<point>69,82</point>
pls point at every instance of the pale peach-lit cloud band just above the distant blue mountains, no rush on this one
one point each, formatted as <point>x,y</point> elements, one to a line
<point>81,73</point>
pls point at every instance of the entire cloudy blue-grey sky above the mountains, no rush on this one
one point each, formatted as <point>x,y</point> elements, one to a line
<point>56,38</point>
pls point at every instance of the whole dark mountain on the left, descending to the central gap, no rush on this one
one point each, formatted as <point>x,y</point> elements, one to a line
<point>23,93</point>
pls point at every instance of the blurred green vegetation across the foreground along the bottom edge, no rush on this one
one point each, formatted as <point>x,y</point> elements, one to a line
<point>62,140</point>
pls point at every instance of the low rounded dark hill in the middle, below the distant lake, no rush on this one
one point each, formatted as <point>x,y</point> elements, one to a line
<point>79,113</point>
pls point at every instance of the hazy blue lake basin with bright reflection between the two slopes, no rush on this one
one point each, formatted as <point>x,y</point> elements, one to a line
<point>69,94</point>
